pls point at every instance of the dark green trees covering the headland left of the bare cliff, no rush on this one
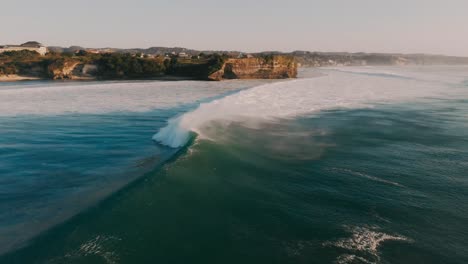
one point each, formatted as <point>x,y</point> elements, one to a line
<point>111,65</point>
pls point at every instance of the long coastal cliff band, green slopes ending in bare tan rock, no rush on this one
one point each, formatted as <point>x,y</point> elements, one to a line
<point>126,67</point>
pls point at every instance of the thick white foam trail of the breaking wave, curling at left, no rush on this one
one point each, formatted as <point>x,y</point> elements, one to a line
<point>296,98</point>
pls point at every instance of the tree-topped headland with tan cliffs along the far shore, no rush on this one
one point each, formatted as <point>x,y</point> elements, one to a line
<point>113,66</point>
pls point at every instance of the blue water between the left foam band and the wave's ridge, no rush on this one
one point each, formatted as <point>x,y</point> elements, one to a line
<point>51,167</point>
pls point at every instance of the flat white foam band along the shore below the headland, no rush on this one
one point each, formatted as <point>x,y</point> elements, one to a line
<point>90,98</point>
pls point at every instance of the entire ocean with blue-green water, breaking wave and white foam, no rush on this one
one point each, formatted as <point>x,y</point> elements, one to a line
<point>342,165</point>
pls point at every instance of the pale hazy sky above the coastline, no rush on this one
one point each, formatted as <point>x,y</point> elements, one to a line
<point>428,26</point>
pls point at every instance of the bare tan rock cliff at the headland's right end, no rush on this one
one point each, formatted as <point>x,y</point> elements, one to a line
<point>273,67</point>
